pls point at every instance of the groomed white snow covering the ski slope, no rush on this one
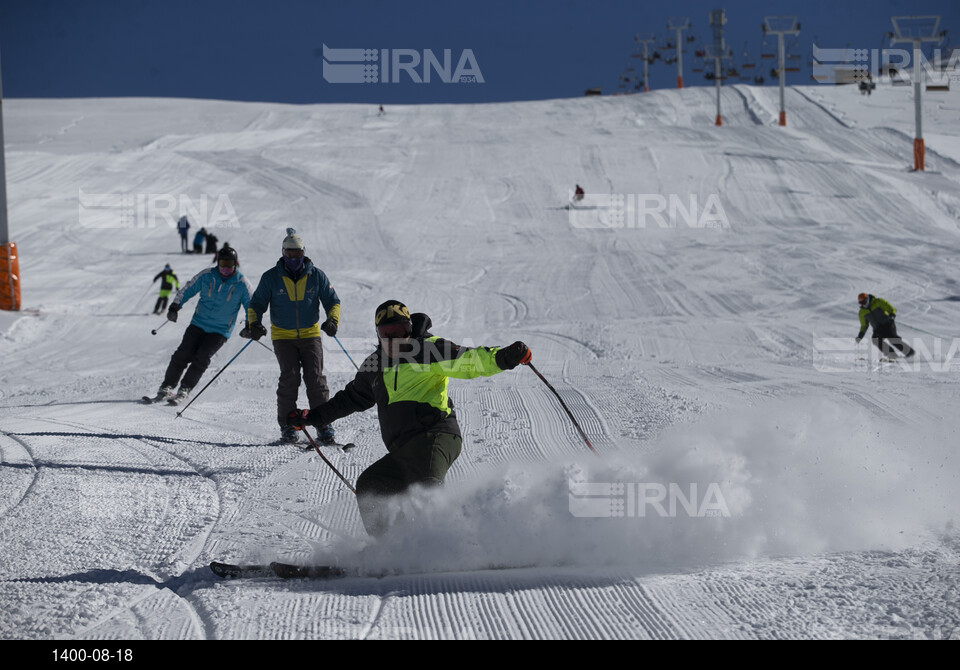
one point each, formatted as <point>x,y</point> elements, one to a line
<point>719,356</point>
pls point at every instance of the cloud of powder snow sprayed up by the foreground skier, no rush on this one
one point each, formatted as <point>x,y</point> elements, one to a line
<point>789,478</point>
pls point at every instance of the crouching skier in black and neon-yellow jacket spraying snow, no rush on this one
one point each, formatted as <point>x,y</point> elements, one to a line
<point>407,378</point>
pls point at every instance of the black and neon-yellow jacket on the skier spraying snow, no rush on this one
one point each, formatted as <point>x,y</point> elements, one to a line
<point>410,393</point>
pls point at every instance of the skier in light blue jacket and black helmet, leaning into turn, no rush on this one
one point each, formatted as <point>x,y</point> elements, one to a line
<point>223,292</point>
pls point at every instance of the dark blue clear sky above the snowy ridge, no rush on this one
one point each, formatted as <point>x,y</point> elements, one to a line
<point>271,50</point>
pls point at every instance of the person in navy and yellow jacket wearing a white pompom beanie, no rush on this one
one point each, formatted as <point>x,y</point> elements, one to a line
<point>295,289</point>
